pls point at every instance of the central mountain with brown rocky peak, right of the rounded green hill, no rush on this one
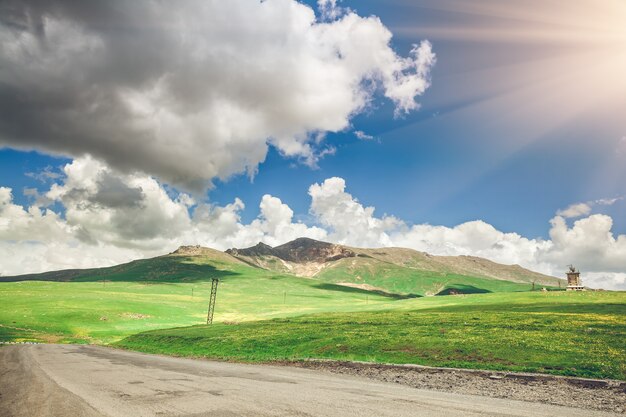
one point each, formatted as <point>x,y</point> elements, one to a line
<point>390,269</point>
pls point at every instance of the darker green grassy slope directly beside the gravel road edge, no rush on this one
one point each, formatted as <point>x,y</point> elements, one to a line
<point>562,333</point>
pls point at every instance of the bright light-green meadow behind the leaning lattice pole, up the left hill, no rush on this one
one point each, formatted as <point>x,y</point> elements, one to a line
<point>97,311</point>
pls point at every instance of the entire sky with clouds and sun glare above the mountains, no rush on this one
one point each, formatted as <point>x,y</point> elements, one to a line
<point>455,127</point>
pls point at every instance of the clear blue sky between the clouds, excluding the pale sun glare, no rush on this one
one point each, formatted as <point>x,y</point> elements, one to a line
<point>434,165</point>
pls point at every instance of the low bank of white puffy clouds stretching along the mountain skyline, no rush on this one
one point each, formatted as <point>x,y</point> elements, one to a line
<point>112,217</point>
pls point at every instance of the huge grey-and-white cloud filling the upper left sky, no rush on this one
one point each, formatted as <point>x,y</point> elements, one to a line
<point>193,91</point>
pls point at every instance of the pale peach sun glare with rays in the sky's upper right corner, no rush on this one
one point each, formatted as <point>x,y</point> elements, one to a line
<point>570,57</point>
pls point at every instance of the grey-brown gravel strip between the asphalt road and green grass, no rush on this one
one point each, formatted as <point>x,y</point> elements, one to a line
<point>605,395</point>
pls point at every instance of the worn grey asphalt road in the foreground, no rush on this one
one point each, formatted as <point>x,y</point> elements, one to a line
<point>91,381</point>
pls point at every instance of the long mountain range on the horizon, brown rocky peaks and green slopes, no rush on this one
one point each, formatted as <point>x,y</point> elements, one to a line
<point>392,271</point>
